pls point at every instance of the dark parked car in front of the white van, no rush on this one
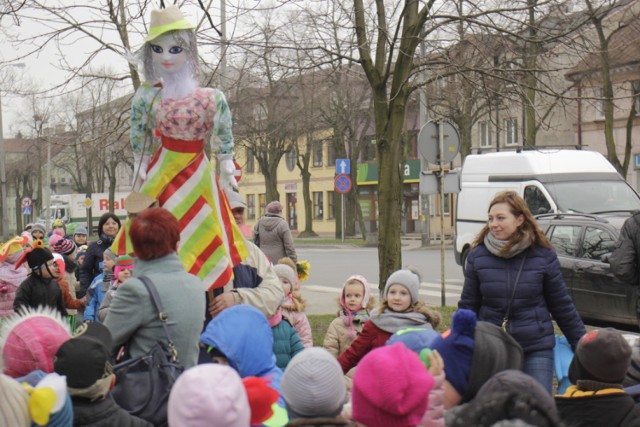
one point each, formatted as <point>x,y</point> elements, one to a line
<point>583,243</point>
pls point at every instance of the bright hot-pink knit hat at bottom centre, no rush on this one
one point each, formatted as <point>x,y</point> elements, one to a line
<point>390,388</point>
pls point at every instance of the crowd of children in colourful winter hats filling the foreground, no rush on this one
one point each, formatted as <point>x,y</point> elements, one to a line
<point>379,366</point>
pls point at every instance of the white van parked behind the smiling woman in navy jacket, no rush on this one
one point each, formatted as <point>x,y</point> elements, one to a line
<point>550,181</point>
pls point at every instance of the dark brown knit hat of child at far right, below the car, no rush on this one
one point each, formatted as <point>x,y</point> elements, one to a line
<point>601,355</point>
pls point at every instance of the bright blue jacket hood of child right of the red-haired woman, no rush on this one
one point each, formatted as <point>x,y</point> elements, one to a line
<point>244,336</point>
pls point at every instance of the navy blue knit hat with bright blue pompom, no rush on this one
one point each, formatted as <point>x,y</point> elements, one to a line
<point>457,349</point>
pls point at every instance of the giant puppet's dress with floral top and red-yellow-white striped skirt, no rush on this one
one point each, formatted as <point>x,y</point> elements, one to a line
<point>182,178</point>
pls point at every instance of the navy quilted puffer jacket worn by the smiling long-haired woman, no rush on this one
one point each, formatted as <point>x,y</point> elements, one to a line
<point>541,293</point>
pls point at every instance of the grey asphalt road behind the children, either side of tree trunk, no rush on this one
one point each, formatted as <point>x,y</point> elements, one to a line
<point>332,265</point>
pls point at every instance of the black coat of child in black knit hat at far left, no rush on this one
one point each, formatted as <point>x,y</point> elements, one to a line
<point>36,291</point>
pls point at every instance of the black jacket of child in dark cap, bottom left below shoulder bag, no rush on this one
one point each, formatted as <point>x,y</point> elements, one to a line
<point>103,413</point>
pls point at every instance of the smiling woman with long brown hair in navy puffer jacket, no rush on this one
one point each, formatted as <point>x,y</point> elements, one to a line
<point>511,241</point>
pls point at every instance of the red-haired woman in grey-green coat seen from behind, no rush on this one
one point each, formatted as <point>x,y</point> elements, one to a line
<point>132,319</point>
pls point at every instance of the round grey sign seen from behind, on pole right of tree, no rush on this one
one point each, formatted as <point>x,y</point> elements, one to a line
<point>429,143</point>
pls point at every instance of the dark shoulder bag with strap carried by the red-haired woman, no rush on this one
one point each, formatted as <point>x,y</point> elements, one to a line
<point>143,384</point>
